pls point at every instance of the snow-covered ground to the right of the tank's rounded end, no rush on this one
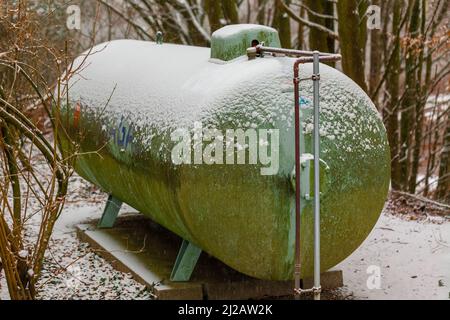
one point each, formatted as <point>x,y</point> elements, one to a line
<point>412,257</point>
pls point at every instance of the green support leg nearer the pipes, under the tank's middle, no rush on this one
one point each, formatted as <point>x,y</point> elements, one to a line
<point>186,261</point>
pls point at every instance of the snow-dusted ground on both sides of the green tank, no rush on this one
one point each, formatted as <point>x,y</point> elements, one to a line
<point>411,255</point>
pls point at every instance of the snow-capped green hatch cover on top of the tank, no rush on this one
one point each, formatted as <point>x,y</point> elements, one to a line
<point>232,41</point>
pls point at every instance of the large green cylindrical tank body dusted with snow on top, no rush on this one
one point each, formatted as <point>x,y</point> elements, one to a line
<point>130,96</point>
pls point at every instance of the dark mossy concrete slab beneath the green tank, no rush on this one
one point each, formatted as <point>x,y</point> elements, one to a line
<point>148,251</point>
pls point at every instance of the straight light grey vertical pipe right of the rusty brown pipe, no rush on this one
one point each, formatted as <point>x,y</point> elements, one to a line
<point>316,78</point>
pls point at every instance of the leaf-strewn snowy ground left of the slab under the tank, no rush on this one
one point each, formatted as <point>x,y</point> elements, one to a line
<point>74,271</point>
